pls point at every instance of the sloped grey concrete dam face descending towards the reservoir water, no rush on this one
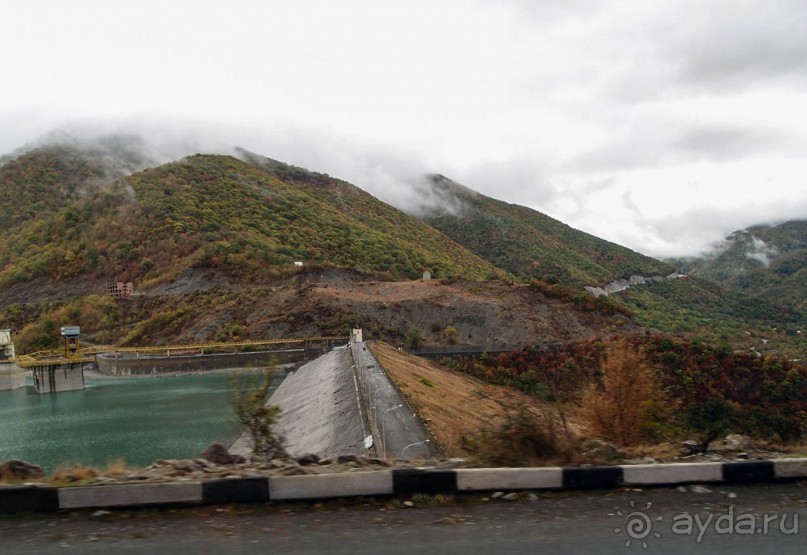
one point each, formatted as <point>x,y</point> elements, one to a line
<point>320,408</point>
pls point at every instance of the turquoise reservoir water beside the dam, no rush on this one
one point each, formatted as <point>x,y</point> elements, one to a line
<point>137,420</point>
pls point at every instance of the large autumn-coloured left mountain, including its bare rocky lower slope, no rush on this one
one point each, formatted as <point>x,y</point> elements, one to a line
<point>211,243</point>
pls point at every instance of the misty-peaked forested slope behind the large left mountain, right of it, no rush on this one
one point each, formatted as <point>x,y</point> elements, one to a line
<point>530,244</point>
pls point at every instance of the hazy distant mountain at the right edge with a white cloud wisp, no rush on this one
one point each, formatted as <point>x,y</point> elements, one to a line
<point>770,262</point>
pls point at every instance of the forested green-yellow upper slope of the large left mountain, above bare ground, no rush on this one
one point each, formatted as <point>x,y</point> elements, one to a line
<point>206,212</point>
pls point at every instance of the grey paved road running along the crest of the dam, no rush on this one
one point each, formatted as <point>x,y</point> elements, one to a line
<point>401,433</point>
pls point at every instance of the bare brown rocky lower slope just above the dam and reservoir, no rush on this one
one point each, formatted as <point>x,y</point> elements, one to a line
<point>206,306</point>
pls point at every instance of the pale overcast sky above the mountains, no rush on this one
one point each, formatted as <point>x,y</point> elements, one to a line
<point>660,125</point>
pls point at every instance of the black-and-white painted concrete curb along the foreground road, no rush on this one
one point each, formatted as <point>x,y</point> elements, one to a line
<point>15,499</point>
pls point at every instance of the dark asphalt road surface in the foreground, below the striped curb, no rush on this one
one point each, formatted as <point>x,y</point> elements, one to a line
<point>562,522</point>
